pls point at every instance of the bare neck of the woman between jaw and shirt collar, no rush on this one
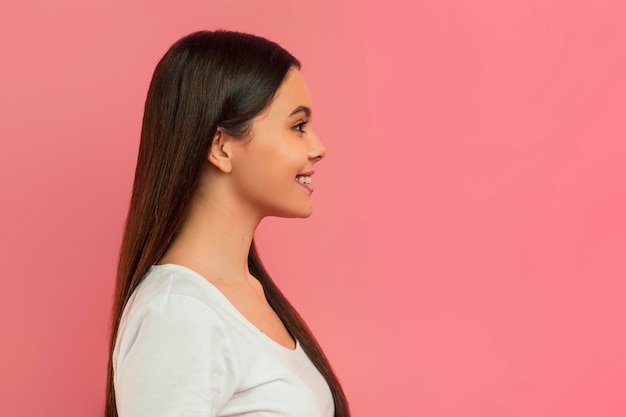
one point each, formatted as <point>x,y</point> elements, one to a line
<point>214,241</point>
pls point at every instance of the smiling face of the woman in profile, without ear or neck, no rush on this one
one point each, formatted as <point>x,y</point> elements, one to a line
<point>272,170</point>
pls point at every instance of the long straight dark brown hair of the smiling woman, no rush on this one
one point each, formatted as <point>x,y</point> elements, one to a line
<point>206,80</point>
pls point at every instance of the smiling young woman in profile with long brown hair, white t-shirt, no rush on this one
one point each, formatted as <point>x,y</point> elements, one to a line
<point>199,327</point>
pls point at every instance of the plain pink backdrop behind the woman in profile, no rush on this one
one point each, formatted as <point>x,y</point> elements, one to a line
<point>467,254</point>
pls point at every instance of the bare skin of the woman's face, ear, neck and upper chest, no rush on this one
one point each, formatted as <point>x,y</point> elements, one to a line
<point>245,180</point>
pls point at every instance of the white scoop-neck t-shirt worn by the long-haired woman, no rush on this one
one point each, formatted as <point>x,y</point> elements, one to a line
<point>184,350</point>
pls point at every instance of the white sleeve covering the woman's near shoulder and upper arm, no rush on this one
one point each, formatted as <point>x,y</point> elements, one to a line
<point>173,359</point>
